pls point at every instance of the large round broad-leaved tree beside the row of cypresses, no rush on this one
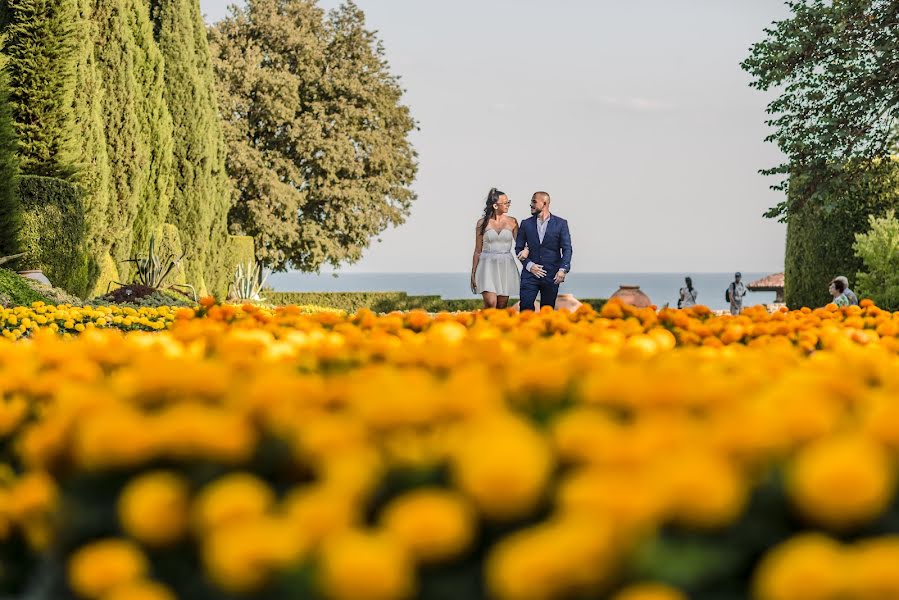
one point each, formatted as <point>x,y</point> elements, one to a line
<point>318,135</point>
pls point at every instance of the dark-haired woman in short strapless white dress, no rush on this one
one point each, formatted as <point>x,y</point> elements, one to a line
<point>494,273</point>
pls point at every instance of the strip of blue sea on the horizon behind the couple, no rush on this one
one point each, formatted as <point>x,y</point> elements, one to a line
<point>660,287</point>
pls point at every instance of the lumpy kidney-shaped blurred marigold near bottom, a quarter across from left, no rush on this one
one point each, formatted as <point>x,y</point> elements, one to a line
<point>241,557</point>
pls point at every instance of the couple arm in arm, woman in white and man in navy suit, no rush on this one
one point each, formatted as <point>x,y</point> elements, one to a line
<point>542,244</point>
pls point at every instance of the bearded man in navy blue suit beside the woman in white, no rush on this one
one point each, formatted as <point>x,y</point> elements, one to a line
<point>549,253</point>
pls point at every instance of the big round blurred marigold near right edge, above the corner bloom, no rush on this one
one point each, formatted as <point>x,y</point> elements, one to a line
<point>842,481</point>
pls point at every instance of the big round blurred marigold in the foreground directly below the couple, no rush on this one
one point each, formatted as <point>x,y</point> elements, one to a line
<point>503,464</point>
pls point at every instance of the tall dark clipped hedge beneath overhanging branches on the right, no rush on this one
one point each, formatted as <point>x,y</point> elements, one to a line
<point>820,234</point>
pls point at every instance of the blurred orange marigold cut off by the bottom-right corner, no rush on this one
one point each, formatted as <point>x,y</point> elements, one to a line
<point>872,571</point>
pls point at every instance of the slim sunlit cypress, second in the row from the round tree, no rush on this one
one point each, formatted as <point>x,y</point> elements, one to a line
<point>155,124</point>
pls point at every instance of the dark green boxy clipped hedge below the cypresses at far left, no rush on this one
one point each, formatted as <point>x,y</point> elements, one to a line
<point>53,232</point>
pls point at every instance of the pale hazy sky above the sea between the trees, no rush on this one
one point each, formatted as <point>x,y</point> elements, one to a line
<point>635,116</point>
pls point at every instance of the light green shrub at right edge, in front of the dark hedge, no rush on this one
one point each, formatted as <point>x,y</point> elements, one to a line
<point>878,249</point>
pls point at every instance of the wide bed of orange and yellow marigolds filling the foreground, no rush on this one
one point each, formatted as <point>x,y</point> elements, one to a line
<point>243,452</point>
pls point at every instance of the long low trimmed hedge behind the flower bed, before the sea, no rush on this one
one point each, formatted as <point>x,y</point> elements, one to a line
<point>385,301</point>
